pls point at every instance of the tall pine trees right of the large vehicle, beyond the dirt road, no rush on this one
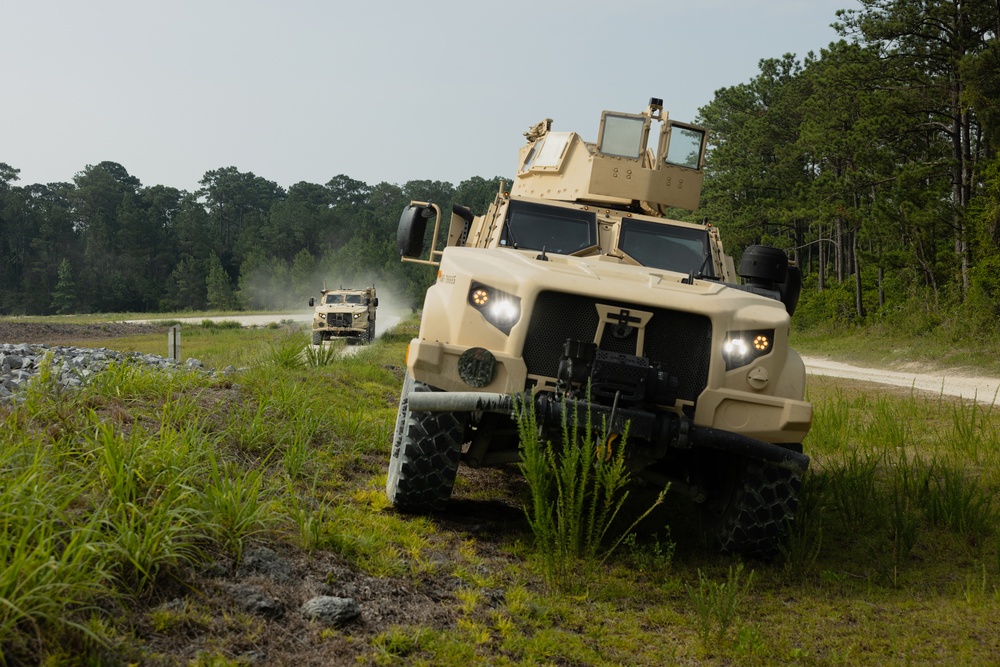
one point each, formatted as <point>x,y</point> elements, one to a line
<point>873,164</point>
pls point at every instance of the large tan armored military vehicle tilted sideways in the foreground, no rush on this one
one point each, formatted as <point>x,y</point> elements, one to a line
<point>575,292</point>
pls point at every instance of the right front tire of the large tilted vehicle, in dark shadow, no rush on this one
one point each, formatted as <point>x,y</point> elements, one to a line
<point>752,508</point>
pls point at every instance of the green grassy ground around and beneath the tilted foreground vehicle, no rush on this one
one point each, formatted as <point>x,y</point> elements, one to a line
<point>129,508</point>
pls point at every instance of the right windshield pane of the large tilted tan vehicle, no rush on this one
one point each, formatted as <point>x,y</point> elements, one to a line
<point>669,247</point>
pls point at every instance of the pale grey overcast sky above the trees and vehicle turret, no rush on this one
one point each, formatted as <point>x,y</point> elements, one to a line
<point>303,90</point>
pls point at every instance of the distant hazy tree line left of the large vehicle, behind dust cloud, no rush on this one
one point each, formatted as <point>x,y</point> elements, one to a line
<point>106,243</point>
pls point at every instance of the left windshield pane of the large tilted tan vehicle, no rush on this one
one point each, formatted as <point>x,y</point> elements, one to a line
<point>562,231</point>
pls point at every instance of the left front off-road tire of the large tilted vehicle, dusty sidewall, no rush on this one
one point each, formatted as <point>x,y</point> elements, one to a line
<point>425,452</point>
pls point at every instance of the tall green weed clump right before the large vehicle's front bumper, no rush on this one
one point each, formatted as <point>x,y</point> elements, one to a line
<point>577,489</point>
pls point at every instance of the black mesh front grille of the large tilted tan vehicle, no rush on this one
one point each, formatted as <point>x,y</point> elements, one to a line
<point>678,343</point>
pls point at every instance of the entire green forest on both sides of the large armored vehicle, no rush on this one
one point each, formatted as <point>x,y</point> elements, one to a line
<point>872,163</point>
